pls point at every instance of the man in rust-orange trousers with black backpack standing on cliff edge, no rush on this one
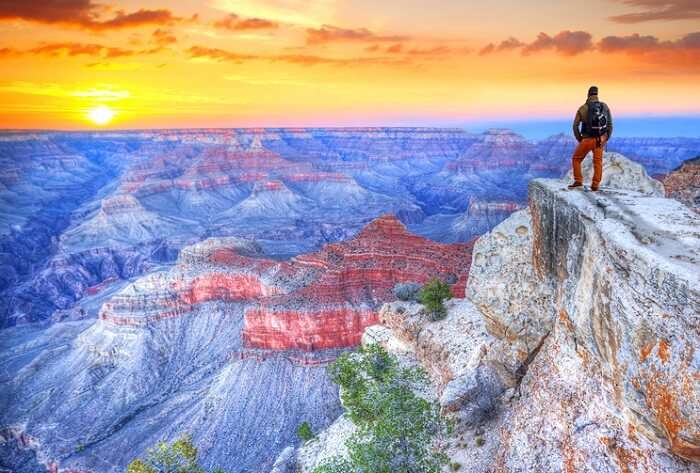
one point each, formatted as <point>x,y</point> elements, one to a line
<point>592,129</point>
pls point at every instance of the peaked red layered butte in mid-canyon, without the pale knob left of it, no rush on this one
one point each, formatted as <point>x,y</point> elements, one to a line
<point>357,276</point>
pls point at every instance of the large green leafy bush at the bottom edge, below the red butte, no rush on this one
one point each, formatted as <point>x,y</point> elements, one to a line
<point>397,431</point>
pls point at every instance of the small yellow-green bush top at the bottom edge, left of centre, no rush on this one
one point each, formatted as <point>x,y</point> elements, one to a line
<point>178,457</point>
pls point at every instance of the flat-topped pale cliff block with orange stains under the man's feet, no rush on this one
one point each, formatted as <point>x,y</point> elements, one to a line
<point>625,271</point>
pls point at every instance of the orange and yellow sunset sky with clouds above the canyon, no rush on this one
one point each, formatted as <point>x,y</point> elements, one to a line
<point>238,63</point>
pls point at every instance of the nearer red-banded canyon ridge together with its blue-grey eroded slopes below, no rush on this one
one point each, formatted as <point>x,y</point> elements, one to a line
<point>227,344</point>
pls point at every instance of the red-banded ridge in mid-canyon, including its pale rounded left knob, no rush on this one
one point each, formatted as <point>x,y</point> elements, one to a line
<point>318,301</point>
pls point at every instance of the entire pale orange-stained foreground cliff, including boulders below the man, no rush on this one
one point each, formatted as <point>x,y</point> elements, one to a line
<point>576,348</point>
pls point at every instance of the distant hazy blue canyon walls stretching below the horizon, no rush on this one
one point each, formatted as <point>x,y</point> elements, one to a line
<point>76,206</point>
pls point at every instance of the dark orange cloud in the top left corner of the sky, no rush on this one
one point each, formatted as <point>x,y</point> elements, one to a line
<point>82,14</point>
